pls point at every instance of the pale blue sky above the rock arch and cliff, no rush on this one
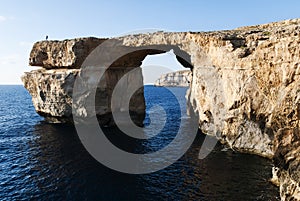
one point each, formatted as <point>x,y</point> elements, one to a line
<point>24,22</point>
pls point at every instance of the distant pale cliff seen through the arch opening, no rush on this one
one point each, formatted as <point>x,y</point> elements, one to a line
<point>179,79</point>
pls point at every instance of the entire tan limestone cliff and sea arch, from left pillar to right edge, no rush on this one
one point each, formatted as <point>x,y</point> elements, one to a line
<point>245,85</point>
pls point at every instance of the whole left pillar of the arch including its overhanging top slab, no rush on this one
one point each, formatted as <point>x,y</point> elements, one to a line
<point>51,87</point>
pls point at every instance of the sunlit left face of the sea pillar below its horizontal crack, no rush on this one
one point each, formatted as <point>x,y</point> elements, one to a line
<point>51,92</point>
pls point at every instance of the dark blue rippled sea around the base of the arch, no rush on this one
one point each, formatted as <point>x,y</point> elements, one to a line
<point>41,161</point>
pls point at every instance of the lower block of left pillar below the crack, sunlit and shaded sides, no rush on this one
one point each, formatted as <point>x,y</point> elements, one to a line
<point>52,95</point>
